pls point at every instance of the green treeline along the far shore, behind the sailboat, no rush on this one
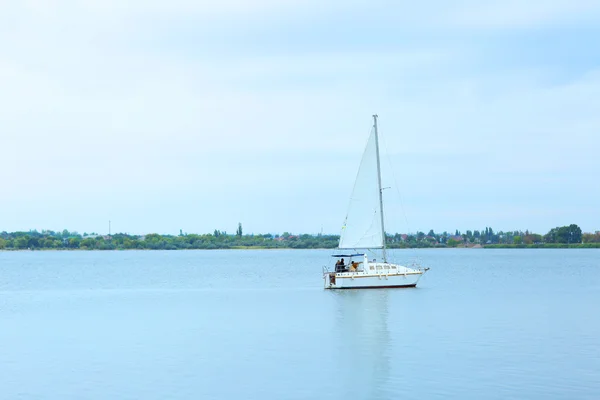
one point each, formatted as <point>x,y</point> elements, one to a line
<point>559,237</point>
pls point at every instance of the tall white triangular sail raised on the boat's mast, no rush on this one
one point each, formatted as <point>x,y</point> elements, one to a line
<point>362,226</point>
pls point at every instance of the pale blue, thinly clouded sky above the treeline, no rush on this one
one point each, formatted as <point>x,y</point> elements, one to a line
<point>195,115</point>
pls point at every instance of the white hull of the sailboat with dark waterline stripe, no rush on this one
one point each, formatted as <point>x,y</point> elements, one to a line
<point>380,275</point>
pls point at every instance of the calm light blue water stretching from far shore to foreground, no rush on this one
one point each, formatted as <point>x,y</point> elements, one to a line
<point>493,324</point>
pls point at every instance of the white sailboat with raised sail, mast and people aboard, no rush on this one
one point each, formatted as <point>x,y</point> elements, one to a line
<point>363,231</point>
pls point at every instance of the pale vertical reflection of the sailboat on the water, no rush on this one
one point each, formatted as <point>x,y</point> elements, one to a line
<point>363,344</point>
